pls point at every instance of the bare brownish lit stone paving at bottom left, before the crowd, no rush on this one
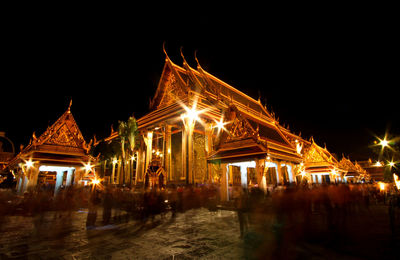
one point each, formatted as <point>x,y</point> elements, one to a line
<point>194,234</point>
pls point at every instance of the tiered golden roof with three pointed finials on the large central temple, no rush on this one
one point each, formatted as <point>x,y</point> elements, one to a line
<point>181,85</point>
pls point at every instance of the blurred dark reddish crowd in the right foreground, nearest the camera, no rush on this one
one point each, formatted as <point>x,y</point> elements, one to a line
<point>273,222</point>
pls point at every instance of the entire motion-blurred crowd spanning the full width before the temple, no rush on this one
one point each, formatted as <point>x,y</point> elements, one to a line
<point>300,211</point>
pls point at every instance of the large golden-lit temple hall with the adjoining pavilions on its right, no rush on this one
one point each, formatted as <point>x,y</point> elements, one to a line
<point>202,130</point>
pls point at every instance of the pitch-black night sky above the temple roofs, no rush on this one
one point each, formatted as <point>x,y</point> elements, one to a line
<point>331,75</point>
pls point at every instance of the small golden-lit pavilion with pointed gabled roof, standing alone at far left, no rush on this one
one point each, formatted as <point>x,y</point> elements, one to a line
<point>58,158</point>
